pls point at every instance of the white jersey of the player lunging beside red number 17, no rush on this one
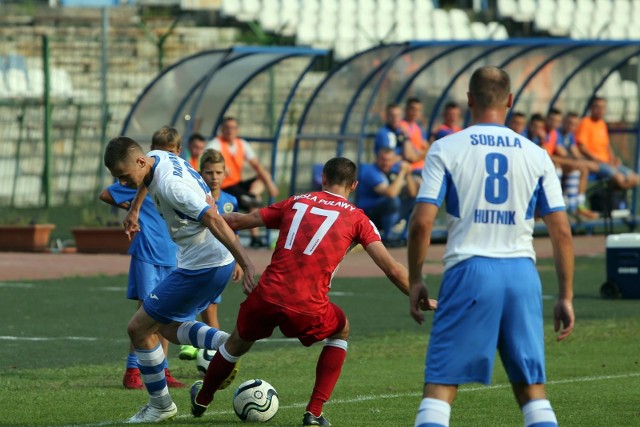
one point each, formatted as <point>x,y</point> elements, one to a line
<point>179,194</point>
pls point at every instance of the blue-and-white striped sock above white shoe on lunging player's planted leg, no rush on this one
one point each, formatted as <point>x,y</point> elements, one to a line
<point>151,363</point>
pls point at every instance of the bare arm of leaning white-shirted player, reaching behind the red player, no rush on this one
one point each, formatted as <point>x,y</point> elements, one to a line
<point>219,228</point>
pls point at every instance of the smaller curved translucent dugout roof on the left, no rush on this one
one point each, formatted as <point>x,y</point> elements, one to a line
<point>195,93</point>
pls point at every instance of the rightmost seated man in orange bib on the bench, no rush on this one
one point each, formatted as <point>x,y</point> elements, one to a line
<point>592,137</point>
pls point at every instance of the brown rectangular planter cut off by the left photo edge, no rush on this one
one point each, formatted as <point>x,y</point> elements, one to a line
<point>25,238</point>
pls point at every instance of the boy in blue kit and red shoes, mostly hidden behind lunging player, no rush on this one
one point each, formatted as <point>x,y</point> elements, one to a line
<point>153,256</point>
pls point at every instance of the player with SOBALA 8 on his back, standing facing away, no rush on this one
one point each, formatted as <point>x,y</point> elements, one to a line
<point>493,182</point>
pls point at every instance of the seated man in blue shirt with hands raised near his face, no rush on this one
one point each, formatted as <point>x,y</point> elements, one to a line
<point>386,193</point>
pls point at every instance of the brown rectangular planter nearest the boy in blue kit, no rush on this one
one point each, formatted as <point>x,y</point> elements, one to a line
<point>92,240</point>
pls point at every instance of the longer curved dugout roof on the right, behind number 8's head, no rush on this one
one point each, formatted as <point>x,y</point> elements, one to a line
<point>348,105</point>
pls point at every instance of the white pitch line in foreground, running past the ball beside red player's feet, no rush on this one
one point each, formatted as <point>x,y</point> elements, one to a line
<point>396,396</point>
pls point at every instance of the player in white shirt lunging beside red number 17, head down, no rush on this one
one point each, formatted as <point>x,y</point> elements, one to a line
<point>206,250</point>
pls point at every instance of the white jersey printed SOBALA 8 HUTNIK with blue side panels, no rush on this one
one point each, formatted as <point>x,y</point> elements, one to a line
<point>493,182</point>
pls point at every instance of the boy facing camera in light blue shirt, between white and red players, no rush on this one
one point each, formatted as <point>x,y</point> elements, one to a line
<point>212,170</point>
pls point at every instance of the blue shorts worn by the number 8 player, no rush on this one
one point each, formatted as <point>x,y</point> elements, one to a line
<point>487,304</point>
